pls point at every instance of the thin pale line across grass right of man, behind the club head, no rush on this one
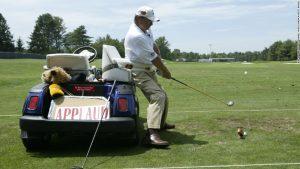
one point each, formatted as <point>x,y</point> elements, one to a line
<point>239,110</point>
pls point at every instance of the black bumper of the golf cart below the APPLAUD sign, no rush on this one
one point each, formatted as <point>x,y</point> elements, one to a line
<point>111,125</point>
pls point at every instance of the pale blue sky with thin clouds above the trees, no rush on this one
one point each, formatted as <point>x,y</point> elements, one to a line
<point>201,26</point>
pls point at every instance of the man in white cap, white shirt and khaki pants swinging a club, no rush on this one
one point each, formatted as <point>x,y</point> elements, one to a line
<point>142,51</point>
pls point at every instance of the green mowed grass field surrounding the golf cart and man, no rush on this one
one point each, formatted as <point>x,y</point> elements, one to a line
<point>266,104</point>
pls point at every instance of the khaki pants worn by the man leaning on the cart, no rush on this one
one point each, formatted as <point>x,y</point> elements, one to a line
<point>157,97</point>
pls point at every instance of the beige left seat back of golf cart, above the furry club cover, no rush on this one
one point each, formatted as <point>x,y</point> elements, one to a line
<point>73,63</point>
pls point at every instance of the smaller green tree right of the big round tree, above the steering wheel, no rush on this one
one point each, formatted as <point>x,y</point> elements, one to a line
<point>76,39</point>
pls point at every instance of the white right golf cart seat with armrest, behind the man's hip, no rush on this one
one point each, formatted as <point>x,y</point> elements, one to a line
<point>113,66</point>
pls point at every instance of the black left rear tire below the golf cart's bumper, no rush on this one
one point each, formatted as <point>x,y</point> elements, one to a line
<point>36,141</point>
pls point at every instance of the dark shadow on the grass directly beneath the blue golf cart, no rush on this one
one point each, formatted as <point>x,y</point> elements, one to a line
<point>77,147</point>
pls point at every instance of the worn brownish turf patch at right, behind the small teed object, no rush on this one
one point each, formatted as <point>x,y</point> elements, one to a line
<point>268,125</point>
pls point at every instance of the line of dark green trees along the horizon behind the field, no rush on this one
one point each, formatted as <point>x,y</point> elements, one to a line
<point>49,36</point>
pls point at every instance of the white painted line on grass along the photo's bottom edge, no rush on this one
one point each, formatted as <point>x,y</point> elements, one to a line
<point>223,166</point>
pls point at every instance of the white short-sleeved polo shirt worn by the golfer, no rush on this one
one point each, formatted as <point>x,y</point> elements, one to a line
<point>139,45</point>
